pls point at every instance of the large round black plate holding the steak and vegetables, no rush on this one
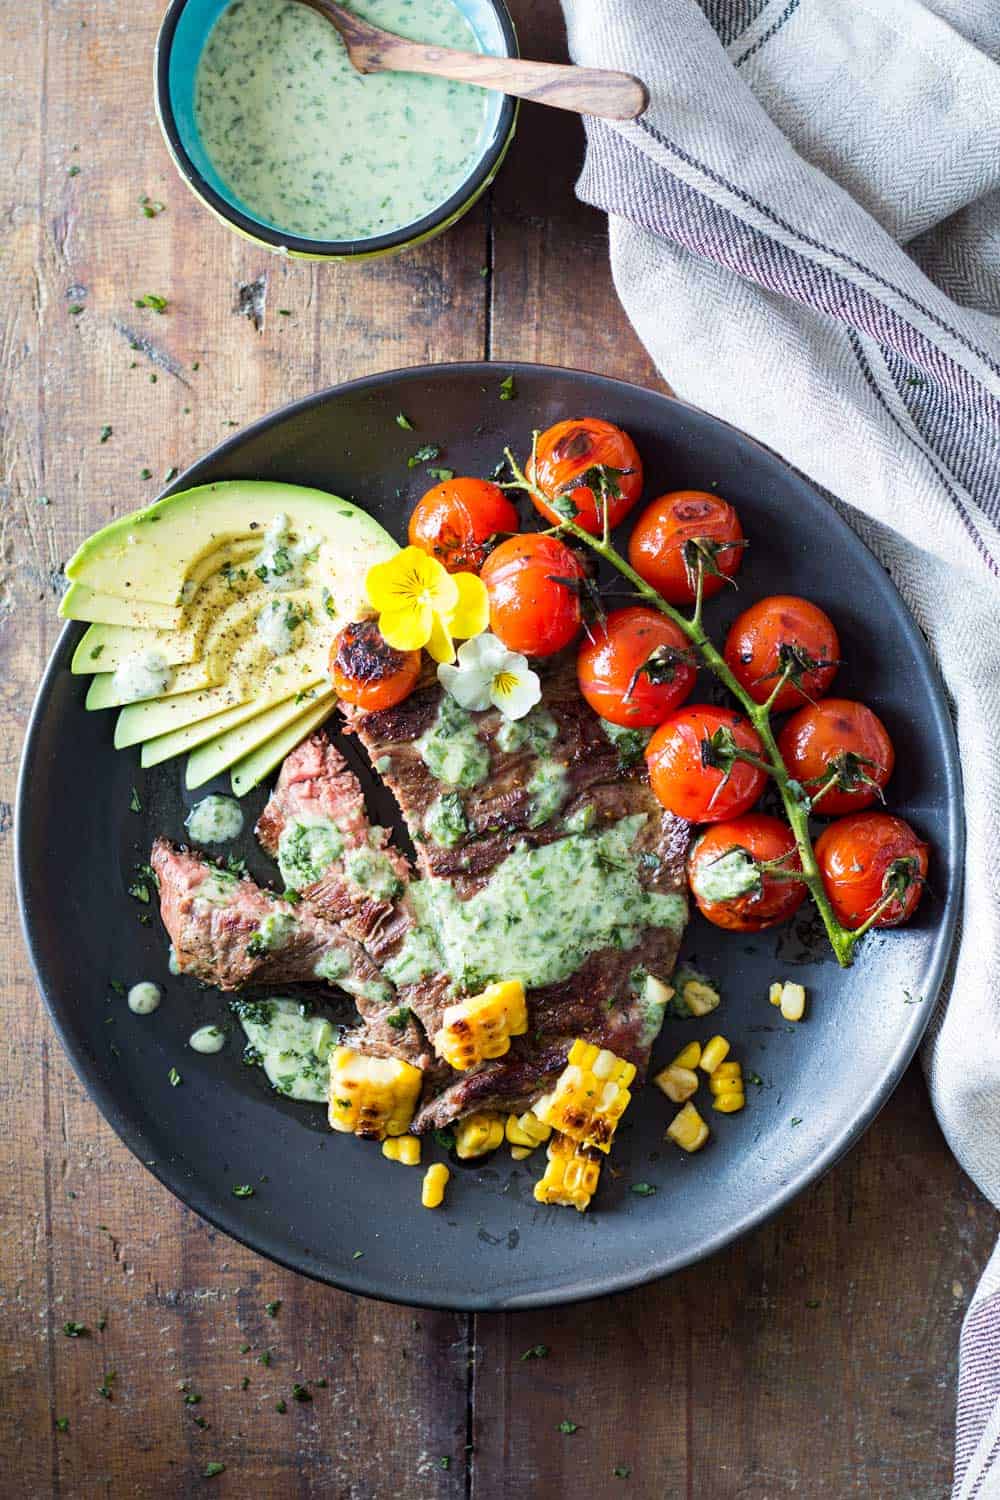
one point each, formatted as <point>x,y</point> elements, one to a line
<point>322,1199</point>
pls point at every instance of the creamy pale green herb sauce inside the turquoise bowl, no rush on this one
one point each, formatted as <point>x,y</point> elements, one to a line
<point>317,149</point>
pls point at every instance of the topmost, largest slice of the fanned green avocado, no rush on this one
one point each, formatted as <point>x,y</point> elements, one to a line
<point>155,553</point>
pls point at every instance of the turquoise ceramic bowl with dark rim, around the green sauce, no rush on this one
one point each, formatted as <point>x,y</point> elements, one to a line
<point>182,38</point>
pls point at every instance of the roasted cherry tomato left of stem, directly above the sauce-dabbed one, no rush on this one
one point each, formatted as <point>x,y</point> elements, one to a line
<point>692,766</point>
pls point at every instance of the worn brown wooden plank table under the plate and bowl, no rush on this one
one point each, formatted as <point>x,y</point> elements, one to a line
<point>815,1360</point>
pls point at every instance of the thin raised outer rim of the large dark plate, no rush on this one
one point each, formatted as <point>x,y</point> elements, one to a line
<point>355,1279</point>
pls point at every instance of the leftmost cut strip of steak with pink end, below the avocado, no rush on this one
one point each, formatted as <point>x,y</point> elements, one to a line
<point>214,940</point>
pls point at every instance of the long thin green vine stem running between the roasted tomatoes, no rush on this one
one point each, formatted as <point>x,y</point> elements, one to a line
<point>797,808</point>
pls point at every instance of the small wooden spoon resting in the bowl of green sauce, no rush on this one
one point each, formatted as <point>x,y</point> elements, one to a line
<point>585,91</point>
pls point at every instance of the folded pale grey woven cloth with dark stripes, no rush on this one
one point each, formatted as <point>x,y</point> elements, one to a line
<point>806,233</point>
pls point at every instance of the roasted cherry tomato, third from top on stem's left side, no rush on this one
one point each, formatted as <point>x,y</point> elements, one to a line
<point>636,668</point>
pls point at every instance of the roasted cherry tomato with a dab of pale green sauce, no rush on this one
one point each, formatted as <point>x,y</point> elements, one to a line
<point>728,878</point>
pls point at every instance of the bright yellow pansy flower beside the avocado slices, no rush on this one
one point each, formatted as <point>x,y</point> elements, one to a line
<point>419,604</point>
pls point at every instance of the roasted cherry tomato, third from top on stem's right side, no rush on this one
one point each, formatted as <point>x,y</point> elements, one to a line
<point>783,634</point>
